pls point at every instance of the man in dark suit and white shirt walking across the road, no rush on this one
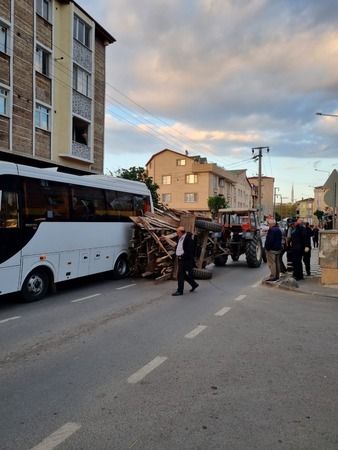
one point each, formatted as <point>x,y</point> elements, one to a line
<point>185,256</point>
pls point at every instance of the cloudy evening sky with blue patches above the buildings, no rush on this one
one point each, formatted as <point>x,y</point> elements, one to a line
<point>218,77</point>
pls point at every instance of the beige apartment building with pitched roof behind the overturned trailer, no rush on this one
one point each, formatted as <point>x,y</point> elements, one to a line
<point>186,182</point>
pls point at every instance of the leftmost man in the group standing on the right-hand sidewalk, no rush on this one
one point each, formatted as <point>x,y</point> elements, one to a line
<point>273,248</point>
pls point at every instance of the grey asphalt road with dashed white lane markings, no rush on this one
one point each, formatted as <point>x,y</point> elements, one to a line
<point>124,365</point>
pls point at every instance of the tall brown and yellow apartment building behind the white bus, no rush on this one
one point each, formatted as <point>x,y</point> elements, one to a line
<point>52,84</point>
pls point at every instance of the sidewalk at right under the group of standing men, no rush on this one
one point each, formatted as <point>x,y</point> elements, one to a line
<point>310,285</point>
